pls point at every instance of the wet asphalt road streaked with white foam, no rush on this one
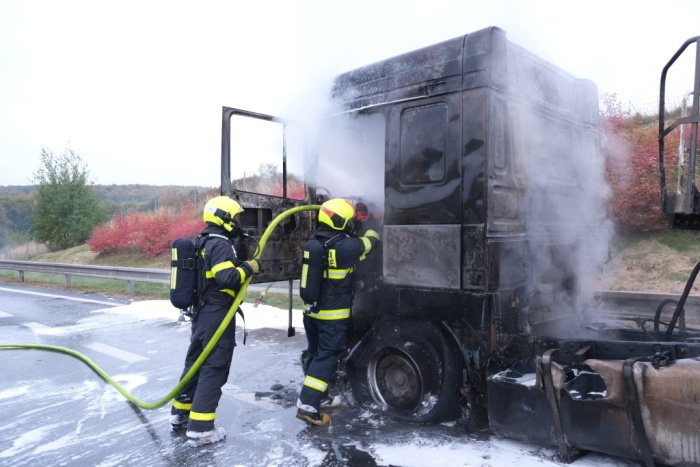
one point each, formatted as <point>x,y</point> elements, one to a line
<point>56,411</point>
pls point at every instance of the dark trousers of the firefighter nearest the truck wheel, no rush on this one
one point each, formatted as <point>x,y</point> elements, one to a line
<point>327,340</point>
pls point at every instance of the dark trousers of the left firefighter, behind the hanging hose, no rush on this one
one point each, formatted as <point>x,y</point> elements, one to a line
<point>200,397</point>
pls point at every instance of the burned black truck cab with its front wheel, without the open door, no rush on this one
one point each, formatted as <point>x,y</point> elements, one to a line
<point>493,199</point>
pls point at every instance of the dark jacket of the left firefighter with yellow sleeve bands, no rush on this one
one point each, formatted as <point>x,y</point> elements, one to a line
<point>223,273</point>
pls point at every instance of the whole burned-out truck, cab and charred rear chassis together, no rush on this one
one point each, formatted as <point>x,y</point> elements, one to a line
<point>460,316</point>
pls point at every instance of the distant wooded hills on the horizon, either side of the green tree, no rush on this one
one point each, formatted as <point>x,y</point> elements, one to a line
<point>16,203</point>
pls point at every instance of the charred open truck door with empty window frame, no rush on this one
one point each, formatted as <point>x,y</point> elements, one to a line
<point>257,171</point>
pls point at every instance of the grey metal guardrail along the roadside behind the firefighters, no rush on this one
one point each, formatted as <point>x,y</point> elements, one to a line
<point>131,275</point>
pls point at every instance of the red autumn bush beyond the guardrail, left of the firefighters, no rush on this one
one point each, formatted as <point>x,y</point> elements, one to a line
<point>150,233</point>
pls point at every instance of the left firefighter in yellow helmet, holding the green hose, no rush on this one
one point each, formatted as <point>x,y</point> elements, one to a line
<point>220,278</point>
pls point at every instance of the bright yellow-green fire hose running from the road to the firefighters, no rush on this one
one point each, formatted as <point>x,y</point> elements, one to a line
<point>207,349</point>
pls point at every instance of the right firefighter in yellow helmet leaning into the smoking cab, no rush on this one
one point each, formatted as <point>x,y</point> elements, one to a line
<point>329,260</point>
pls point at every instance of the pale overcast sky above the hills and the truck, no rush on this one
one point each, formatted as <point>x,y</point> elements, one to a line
<point>136,87</point>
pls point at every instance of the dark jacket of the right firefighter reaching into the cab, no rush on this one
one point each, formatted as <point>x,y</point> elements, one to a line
<point>328,265</point>
